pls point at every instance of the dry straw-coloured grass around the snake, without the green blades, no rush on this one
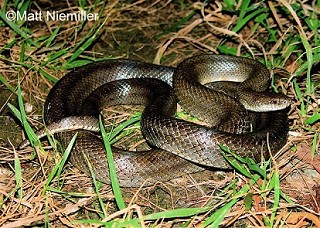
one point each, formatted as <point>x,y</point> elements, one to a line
<point>132,31</point>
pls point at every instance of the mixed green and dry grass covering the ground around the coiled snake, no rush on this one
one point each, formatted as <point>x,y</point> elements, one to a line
<point>281,35</point>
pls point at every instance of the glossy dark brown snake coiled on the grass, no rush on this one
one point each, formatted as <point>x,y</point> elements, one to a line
<point>243,117</point>
